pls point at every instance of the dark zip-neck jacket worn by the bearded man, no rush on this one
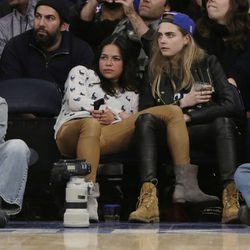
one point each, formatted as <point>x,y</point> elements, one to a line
<point>21,58</point>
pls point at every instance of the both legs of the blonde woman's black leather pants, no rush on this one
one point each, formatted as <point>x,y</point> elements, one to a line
<point>218,137</point>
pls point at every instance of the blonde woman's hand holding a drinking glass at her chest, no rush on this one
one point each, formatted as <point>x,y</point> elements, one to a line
<point>195,97</point>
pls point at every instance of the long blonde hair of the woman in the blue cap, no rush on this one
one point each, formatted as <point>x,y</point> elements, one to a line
<point>160,64</point>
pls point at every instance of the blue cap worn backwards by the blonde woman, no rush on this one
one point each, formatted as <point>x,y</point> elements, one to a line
<point>179,19</point>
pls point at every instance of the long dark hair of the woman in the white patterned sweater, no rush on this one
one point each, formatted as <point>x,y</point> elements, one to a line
<point>127,79</point>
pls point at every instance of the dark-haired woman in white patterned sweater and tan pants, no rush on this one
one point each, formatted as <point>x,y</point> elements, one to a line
<point>85,131</point>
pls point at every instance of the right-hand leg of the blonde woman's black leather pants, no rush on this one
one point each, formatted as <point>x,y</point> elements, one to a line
<point>219,137</point>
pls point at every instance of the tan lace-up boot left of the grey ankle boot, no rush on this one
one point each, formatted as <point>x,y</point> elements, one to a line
<point>147,209</point>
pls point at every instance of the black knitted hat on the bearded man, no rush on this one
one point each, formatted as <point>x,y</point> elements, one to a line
<point>60,6</point>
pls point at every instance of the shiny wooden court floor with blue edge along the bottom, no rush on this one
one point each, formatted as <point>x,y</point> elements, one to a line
<point>115,236</point>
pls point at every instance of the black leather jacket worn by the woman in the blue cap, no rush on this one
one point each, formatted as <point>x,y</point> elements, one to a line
<point>208,70</point>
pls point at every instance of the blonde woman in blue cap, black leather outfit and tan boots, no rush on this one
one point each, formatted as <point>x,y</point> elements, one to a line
<point>183,74</point>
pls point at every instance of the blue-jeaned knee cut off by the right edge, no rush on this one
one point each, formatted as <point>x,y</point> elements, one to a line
<point>242,181</point>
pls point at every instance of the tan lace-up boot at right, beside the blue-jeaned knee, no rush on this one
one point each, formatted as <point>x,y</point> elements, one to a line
<point>231,204</point>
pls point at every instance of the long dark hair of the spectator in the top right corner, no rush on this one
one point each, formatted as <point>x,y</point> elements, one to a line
<point>237,23</point>
